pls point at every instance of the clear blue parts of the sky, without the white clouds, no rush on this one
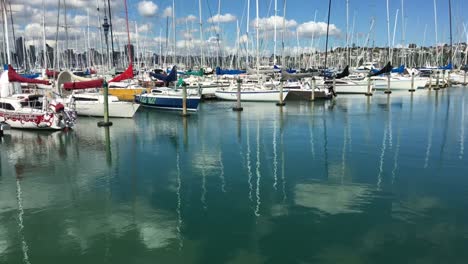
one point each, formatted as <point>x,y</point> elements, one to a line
<point>418,15</point>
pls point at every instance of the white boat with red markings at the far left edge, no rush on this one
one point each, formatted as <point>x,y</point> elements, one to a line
<point>27,111</point>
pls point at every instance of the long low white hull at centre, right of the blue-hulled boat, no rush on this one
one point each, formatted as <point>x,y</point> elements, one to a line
<point>254,96</point>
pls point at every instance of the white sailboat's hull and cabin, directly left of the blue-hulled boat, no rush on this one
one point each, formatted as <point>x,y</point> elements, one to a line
<point>92,104</point>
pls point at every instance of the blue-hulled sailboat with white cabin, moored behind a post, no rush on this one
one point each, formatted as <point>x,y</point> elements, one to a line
<point>167,98</point>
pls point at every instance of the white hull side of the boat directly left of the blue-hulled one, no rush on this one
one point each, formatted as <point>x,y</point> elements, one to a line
<point>116,109</point>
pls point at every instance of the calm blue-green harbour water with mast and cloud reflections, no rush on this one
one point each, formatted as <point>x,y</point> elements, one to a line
<point>355,180</point>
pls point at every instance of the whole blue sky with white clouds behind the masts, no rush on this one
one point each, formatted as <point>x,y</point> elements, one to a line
<point>305,23</point>
